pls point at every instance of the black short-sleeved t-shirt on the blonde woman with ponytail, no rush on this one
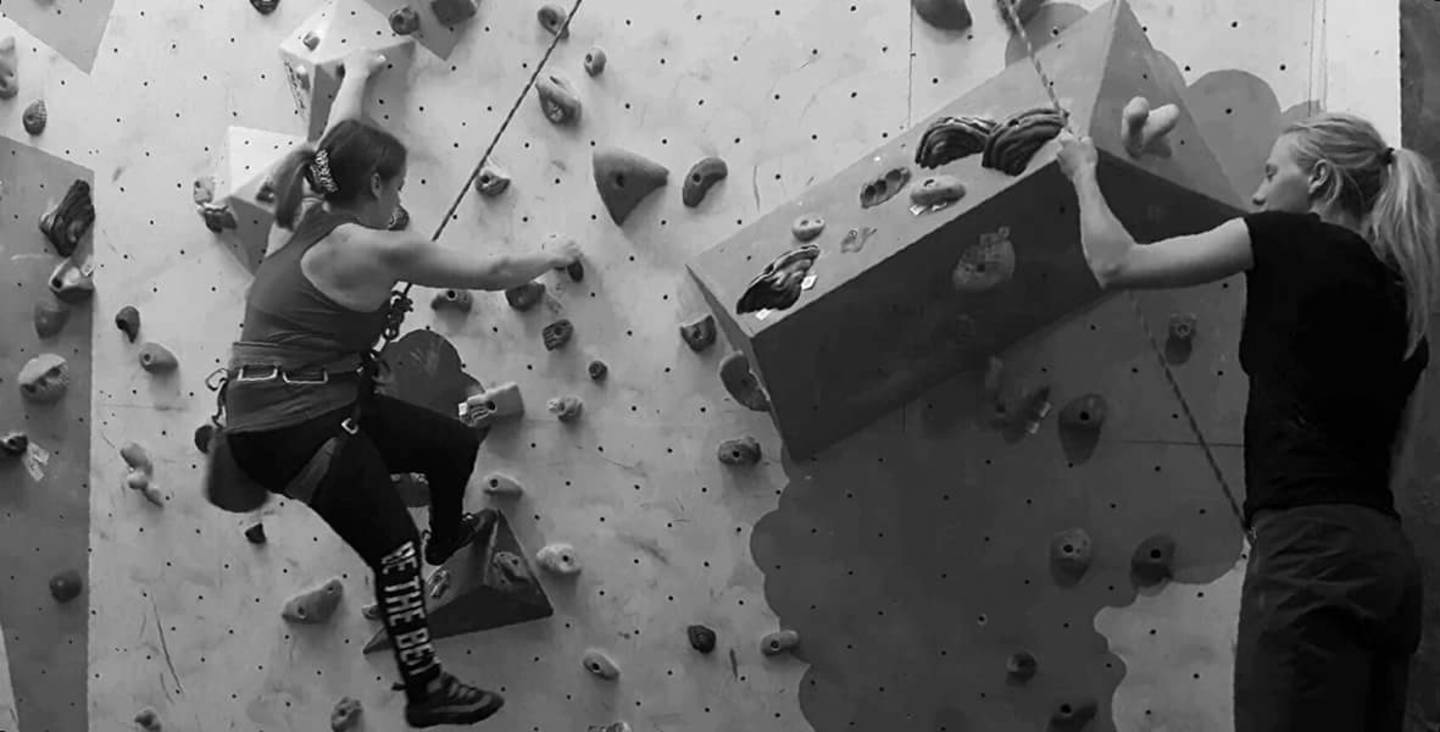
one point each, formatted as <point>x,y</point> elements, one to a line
<point>1324,345</point>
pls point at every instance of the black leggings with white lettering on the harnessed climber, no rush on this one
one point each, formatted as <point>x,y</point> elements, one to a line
<point>359,502</point>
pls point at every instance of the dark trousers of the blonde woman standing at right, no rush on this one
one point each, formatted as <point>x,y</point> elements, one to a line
<point>1330,619</point>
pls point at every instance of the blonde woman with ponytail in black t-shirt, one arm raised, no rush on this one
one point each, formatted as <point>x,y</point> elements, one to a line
<point>1341,270</point>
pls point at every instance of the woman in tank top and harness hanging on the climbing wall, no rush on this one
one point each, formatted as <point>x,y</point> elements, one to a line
<point>302,375</point>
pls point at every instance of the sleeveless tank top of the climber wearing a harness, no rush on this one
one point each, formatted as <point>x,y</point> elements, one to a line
<point>290,323</point>
